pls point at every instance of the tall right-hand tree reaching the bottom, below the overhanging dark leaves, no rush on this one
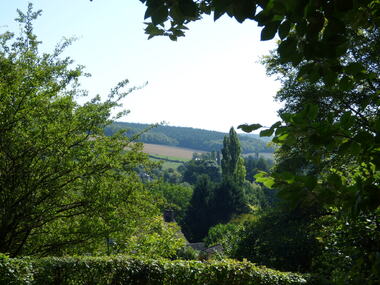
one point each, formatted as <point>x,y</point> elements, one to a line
<point>328,155</point>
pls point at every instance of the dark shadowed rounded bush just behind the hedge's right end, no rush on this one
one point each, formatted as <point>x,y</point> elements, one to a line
<point>280,239</point>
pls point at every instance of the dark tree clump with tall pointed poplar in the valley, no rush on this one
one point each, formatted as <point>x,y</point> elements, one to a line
<point>216,201</point>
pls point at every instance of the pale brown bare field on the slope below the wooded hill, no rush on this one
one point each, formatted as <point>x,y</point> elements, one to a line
<point>170,152</point>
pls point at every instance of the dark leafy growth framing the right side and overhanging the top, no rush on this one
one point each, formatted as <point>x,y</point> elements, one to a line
<point>328,159</point>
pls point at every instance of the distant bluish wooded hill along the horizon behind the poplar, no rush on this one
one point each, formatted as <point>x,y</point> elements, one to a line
<point>187,137</point>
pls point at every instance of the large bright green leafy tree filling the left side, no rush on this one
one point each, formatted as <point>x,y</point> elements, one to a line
<point>62,182</point>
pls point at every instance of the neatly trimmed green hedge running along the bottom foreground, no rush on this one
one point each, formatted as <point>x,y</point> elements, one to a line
<point>126,270</point>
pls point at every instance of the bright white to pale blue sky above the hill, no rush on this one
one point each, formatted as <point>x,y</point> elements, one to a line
<point>209,79</point>
